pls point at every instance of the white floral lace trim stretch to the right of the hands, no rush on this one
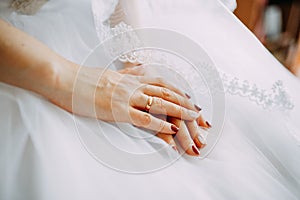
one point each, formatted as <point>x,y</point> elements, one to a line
<point>274,98</point>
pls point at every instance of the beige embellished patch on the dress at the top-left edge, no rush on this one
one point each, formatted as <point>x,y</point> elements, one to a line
<point>27,7</point>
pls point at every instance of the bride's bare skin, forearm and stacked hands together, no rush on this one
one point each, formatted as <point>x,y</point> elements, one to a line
<point>103,94</point>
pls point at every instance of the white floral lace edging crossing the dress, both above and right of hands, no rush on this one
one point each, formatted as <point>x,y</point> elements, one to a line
<point>274,98</point>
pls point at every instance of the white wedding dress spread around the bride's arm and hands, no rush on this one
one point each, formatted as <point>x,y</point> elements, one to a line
<point>47,153</point>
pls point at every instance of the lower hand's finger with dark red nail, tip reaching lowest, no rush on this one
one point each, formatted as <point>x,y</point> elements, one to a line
<point>184,139</point>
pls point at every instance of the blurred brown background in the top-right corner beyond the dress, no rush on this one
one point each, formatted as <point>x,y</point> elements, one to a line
<point>276,24</point>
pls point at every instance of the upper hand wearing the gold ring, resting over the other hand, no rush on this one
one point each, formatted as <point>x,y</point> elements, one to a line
<point>112,96</point>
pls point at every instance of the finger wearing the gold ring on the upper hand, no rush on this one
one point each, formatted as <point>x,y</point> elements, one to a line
<point>160,106</point>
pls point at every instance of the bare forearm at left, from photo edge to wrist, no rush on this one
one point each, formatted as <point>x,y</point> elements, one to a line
<point>27,63</point>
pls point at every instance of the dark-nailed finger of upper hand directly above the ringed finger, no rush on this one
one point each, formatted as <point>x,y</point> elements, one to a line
<point>171,96</point>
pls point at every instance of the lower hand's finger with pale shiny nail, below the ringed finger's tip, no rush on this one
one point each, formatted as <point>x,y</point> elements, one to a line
<point>196,134</point>
